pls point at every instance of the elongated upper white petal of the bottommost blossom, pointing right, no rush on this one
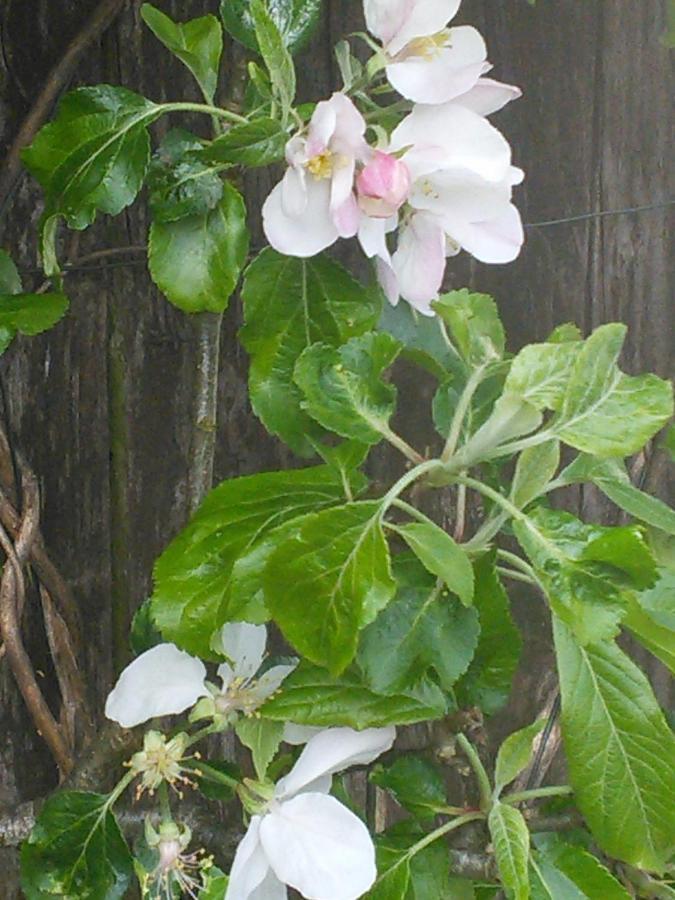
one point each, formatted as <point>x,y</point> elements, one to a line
<point>334,750</point>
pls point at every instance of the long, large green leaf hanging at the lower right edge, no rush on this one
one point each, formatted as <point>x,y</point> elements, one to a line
<point>620,751</point>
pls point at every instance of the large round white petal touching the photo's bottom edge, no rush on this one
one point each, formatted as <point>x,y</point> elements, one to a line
<point>319,847</point>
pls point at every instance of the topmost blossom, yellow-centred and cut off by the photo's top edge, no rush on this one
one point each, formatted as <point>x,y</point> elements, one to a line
<point>428,62</point>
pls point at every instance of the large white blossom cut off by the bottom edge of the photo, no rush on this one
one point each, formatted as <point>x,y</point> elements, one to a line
<point>302,837</point>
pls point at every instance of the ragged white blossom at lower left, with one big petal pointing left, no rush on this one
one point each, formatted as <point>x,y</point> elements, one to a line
<point>166,681</point>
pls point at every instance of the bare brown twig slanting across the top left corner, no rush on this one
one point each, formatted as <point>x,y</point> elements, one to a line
<point>103,16</point>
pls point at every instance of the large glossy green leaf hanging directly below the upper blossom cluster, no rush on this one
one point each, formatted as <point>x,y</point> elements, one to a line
<point>290,304</point>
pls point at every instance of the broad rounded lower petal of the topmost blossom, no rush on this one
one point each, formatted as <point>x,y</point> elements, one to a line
<point>450,72</point>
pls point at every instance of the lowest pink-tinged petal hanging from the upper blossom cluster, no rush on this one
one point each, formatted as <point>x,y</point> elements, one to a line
<point>419,262</point>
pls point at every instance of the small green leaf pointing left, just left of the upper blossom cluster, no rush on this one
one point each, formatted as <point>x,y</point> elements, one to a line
<point>258,143</point>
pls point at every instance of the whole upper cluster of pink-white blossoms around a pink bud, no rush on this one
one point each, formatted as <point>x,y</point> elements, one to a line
<point>443,179</point>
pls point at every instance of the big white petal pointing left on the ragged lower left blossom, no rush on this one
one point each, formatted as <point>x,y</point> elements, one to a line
<point>162,681</point>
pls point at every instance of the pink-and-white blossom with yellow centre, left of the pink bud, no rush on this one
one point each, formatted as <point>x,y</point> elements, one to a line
<point>315,203</point>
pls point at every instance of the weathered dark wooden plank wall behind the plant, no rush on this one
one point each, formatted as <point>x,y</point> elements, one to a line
<point>101,405</point>
